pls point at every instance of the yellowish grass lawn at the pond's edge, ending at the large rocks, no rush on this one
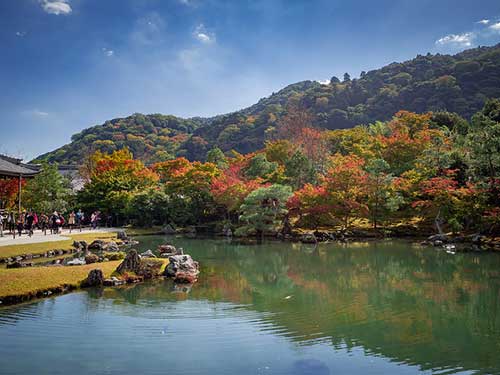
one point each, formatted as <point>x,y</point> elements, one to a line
<point>21,281</point>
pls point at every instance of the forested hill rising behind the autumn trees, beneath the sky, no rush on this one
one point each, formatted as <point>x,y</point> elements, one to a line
<point>459,83</point>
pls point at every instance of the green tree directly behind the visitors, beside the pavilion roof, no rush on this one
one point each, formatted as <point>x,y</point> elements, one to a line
<point>48,191</point>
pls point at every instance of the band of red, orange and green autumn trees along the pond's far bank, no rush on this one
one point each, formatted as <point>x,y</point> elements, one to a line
<point>420,173</point>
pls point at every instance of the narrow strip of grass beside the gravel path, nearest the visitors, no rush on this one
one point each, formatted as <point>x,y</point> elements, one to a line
<point>42,247</point>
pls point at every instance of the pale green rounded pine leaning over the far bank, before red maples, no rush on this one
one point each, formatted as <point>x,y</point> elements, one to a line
<point>263,209</point>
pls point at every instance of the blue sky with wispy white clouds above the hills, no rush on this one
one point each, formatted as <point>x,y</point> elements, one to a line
<point>69,64</point>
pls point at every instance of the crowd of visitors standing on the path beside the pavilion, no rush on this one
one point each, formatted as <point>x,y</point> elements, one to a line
<point>29,221</point>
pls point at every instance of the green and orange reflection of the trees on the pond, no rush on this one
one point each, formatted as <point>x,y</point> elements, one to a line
<point>416,306</point>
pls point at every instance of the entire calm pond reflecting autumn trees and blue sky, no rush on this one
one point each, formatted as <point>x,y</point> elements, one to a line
<point>273,308</point>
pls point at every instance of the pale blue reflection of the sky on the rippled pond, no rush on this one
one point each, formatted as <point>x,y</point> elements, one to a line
<point>65,336</point>
